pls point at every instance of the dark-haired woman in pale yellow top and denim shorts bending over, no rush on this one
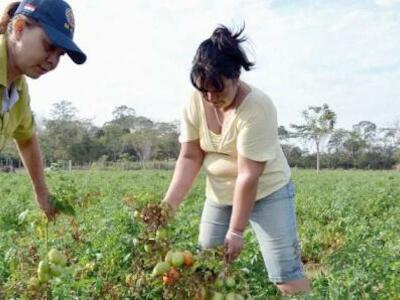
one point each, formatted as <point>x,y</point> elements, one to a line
<point>230,128</point>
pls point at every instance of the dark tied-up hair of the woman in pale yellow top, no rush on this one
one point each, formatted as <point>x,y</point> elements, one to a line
<point>220,55</point>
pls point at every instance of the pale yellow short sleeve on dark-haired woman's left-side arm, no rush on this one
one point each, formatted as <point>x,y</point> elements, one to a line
<point>190,121</point>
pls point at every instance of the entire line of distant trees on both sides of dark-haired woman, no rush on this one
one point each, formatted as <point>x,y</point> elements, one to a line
<point>315,143</point>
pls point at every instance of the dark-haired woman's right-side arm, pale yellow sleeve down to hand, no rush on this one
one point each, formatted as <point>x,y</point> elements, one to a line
<point>257,143</point>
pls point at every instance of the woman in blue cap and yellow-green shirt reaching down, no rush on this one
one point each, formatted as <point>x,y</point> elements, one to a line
<point>34,34</point>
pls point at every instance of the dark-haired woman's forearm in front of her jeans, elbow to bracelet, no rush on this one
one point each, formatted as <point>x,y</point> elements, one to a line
<point>243,202</point>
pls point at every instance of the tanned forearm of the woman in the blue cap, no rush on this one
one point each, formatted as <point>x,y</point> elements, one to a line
<point>30,154</point>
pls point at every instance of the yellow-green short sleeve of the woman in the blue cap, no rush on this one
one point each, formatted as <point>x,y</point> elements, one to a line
<point>26,127</point>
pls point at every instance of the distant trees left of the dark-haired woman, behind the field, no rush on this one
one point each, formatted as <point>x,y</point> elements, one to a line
<point>127,137</point>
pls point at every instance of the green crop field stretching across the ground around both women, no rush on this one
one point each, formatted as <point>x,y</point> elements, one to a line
<point>349,225</point>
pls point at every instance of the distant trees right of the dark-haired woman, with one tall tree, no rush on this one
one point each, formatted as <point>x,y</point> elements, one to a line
<point>364,146</point>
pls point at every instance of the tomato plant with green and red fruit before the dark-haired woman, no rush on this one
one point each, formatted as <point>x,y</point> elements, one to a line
<point>157,262</point>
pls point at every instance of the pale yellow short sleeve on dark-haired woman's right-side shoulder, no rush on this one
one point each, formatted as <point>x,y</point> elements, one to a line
<point>258,132</point>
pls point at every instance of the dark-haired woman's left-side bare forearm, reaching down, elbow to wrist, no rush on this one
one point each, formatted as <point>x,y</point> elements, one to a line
<point>185,173</point>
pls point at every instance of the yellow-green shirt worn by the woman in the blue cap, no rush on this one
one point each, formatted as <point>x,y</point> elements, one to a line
<point>18,122</point>
